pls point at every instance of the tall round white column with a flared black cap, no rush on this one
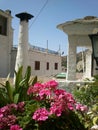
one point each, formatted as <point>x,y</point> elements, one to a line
<point>22,51</point>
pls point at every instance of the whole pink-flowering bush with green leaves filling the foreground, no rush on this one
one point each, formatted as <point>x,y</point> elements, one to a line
<point>50,108</point>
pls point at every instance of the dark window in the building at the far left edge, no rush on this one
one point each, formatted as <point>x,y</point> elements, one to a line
<point>3,25</point>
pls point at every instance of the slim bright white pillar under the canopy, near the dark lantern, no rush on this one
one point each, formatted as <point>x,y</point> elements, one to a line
<point>88,67</point>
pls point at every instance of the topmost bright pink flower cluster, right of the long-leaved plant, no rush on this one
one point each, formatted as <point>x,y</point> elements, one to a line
<point>43,91</point>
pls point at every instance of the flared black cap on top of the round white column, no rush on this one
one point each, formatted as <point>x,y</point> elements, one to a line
<point>24,16</point>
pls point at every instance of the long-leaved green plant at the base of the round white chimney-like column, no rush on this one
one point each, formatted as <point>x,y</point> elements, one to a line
<point>10,93</point>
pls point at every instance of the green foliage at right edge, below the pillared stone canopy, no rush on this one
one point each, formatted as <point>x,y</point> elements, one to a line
<point>87,94</point>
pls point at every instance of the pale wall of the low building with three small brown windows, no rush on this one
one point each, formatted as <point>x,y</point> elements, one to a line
<point>43,58</point>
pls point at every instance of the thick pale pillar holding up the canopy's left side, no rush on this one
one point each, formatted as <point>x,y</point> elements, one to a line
<point>71,60</point>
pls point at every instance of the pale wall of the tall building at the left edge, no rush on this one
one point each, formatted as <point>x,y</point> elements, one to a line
<point>6,41</point>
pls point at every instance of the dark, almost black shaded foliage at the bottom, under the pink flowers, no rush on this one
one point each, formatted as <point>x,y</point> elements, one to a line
<point>69,122</point>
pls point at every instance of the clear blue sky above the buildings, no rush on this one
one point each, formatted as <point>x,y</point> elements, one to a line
<point>47,15</point>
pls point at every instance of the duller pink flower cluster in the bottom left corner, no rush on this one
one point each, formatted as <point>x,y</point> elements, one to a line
<point>8,117</point>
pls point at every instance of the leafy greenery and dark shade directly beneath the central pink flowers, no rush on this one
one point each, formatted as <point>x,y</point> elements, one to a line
<point>68,122</point>
